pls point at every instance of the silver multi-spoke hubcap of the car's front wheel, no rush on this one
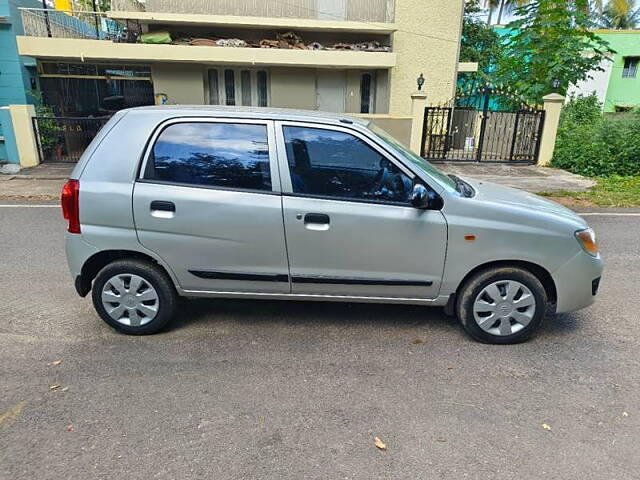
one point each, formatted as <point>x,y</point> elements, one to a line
<point>504,307</point>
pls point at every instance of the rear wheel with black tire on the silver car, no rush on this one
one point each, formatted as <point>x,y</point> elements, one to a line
<point>146,311</point>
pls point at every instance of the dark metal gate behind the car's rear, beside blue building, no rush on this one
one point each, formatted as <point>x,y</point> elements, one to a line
<point>63,139</point>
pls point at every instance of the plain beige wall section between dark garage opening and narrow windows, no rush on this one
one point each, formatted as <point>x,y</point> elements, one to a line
<point>182,83</point>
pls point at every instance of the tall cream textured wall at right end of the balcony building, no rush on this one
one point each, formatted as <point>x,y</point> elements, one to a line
<point>436,58</point>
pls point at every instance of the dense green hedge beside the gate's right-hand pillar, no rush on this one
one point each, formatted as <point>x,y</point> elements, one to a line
<point>591,144</point>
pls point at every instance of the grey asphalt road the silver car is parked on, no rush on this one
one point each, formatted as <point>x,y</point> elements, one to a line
<point>241,389</point>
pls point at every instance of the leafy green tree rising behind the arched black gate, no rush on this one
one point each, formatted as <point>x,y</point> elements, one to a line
<point>552,43</point>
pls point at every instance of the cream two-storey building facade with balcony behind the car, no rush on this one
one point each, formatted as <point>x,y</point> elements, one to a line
<point>353,56</point>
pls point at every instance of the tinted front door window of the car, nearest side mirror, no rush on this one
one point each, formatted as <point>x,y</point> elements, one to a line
<point>337,164</point>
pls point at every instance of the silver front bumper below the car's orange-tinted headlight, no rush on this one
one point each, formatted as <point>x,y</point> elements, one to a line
<point>577,282</point>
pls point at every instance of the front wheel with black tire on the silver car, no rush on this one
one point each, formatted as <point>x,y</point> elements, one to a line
<point>490,319</point>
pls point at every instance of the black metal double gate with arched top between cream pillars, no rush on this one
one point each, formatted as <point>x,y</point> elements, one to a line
<point>483,125</point>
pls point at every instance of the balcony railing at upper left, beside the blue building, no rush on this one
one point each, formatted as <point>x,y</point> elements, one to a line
<point>39,22</point>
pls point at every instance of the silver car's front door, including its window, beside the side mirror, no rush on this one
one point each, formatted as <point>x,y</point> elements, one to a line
<point>350,227</point>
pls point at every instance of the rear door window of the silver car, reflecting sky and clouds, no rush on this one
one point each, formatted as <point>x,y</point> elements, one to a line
<point>229,155</point>
